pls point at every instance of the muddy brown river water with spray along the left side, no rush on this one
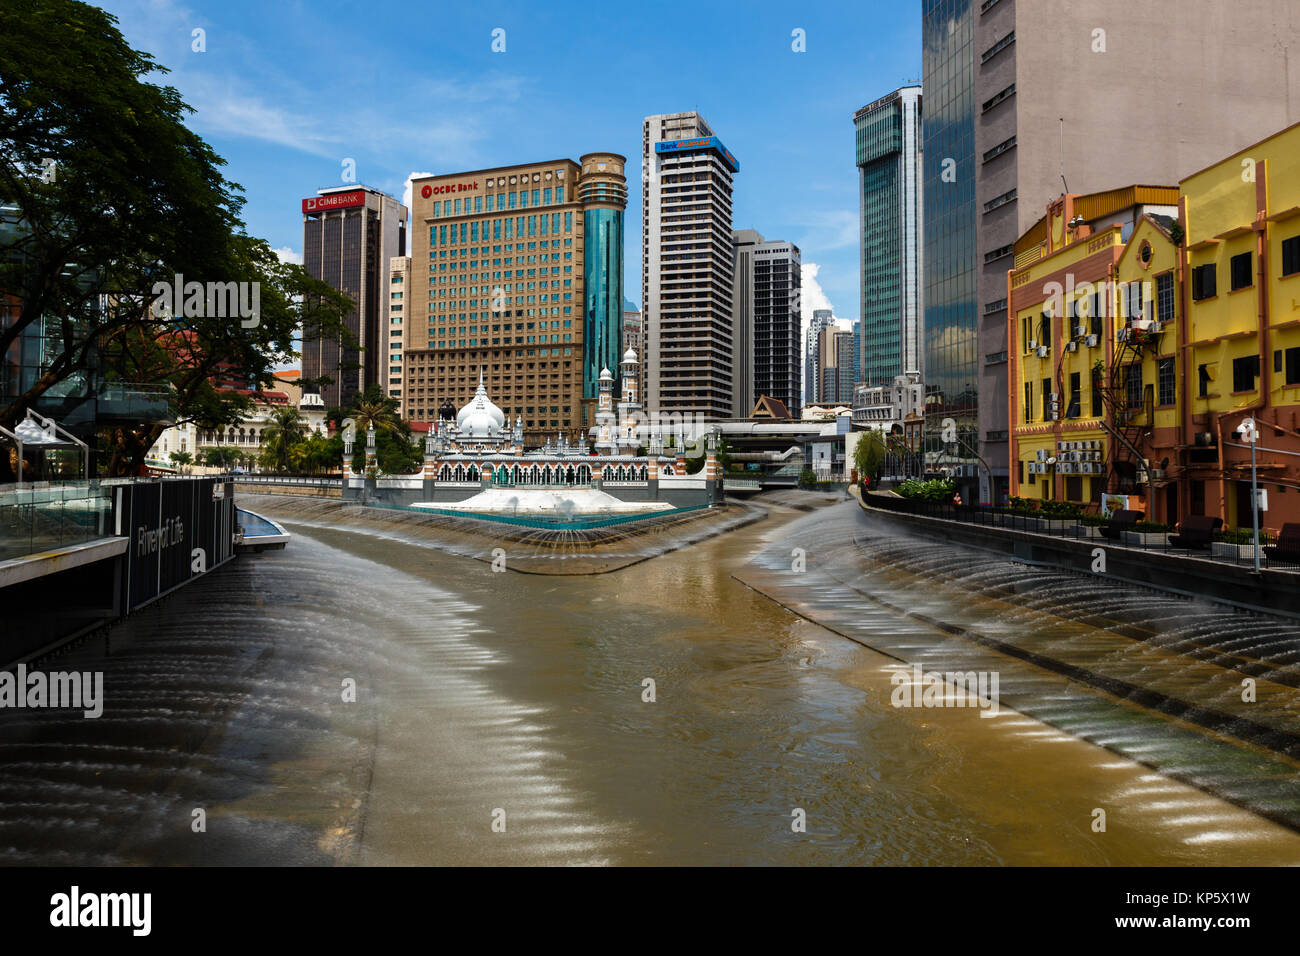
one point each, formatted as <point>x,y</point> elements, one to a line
<point>482,691</point>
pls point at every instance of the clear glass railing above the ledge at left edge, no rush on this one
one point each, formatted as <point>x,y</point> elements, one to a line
<point>44,517</point>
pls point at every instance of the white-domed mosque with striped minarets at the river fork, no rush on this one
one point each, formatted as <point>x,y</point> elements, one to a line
<point>475,461</point>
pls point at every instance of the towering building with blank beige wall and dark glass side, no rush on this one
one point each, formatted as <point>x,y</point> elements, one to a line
<point>1028,101</point>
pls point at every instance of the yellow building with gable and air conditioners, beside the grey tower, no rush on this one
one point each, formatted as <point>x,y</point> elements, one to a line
<point>1091,301</point>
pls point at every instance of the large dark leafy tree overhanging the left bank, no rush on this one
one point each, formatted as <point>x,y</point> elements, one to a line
<point>133,202</point>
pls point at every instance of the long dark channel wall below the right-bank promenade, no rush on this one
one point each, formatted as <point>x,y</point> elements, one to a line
<point>1272,591</point>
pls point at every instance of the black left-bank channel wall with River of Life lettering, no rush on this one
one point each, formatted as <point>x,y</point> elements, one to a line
<point>162,535</point>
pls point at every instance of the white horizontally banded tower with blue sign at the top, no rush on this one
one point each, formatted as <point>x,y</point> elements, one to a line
<point>687,269</point>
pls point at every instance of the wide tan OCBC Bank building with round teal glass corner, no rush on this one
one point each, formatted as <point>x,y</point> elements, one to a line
<point>525,270</point>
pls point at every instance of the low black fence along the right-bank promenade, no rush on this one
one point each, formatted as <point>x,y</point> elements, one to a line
<point>1229,548</point>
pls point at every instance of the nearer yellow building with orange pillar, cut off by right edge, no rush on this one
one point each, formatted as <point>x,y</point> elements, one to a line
<point>1242,348</point>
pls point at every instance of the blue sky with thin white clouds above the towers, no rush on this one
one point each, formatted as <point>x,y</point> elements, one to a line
<point>285,92</point>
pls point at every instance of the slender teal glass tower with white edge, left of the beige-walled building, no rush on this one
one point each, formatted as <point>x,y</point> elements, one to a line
<point>889,157</point>
